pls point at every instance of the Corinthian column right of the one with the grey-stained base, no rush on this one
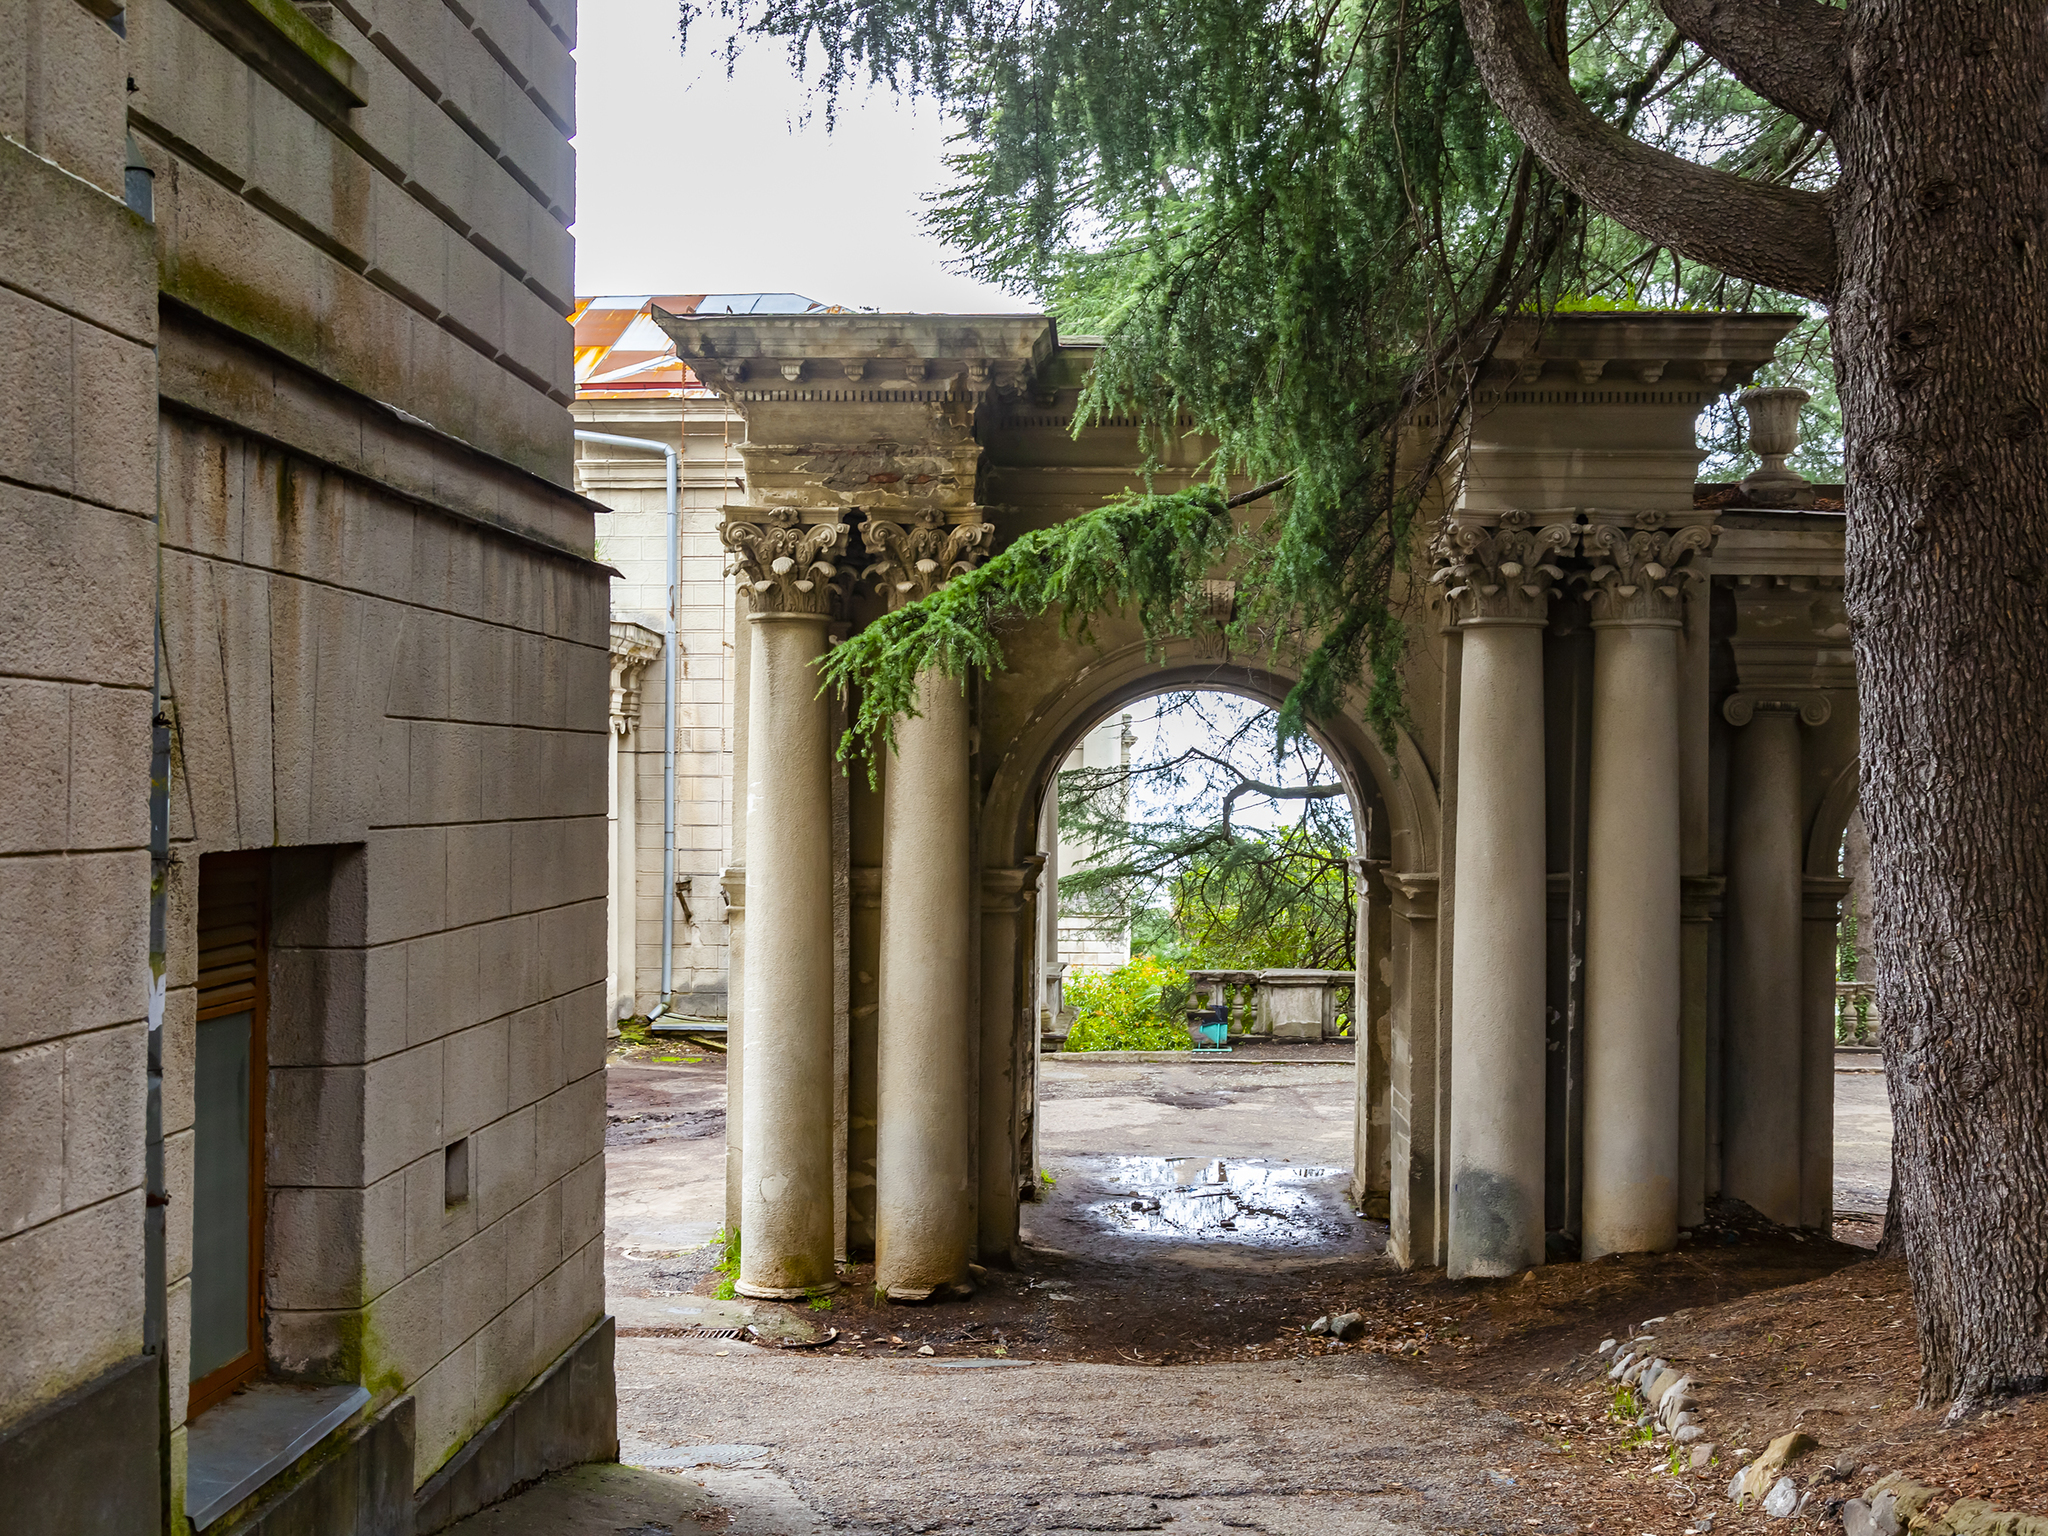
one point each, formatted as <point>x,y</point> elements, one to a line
<point>1633,949</point>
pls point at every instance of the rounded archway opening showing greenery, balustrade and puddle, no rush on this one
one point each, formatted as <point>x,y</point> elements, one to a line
<point>1201,1017</point>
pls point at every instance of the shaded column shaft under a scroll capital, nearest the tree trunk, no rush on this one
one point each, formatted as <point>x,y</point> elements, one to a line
<point>1762,1066</point>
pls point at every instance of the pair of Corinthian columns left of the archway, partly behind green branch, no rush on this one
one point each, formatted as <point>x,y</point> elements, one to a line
<point>929,1013</point>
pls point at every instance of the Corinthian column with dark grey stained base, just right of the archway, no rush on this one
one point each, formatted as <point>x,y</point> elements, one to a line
<point>1498,585</point>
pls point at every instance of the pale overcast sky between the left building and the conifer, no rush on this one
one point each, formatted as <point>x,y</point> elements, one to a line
<point>693,183</point>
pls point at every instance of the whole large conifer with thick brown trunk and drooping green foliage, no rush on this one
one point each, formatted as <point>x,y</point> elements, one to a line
<point>1297,220</point>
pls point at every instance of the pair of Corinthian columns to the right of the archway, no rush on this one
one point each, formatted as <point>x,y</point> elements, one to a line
<point>1500,581</point>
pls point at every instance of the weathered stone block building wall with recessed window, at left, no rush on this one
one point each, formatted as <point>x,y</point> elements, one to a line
<point>382,673</point>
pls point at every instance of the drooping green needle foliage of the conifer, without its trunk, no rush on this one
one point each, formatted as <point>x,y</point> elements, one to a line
<point>1299,228</point>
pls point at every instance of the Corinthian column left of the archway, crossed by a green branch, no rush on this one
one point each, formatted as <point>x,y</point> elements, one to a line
<point>927,1017</point>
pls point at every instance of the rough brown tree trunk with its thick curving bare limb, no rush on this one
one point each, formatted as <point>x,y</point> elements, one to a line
<point>1932,259</point>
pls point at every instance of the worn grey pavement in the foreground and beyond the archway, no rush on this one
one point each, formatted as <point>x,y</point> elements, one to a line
<point>761,1443</point>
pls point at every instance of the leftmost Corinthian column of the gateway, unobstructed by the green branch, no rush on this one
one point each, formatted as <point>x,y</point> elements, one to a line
<point>785,1201</point>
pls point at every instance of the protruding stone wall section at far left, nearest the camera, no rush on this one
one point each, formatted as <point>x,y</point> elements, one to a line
<point>77,548</point>
